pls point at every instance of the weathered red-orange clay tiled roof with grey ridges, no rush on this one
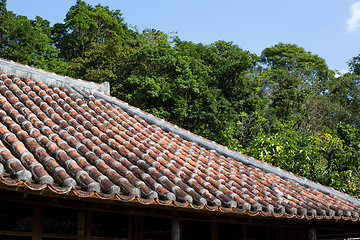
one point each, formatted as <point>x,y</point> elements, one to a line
<point>69,137</point>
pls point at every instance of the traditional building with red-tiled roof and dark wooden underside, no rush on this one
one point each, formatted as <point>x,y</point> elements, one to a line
<point>76,163</point>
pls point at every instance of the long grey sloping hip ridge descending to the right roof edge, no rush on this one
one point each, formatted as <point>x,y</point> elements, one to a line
<point>223,150</point>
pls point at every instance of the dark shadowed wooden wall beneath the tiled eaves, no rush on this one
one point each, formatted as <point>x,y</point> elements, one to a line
<point>28,217</point>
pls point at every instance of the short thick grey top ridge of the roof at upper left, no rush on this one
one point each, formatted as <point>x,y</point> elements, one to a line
<point>49,78</point>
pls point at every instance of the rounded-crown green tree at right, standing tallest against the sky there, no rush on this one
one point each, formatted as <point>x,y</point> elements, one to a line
<point>299,87</point>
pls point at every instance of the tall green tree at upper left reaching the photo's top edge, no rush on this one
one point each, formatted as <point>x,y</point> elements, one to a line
<point>84,25</point>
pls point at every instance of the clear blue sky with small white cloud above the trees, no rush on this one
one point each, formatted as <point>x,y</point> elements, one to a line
<point>329,28</point>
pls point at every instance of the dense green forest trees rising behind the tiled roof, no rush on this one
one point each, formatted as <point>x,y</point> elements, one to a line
<point>285,107</point>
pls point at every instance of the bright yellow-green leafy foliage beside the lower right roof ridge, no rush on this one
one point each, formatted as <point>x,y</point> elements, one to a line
<point>324,158</point>
